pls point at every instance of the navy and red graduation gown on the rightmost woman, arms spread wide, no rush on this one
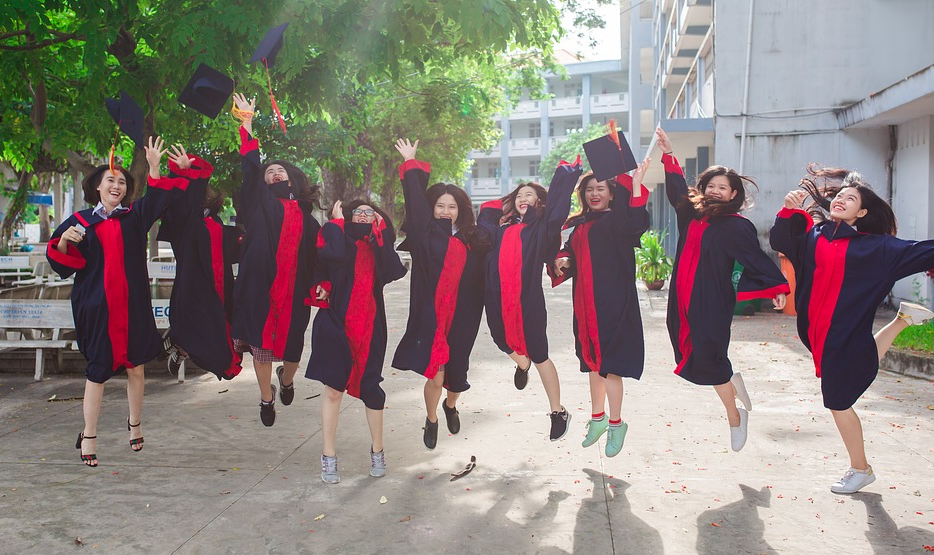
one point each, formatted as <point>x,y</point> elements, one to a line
<point>841,277</point>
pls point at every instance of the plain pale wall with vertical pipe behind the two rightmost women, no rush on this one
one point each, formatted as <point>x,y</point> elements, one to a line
<point>808,60</point>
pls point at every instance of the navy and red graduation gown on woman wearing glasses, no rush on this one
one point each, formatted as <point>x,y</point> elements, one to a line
<point>348,336</point>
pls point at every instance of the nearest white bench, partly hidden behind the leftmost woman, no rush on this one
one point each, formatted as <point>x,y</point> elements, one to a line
<point>43,324</point>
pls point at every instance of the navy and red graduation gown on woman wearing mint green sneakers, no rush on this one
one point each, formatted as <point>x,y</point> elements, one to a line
<point>607,322</point>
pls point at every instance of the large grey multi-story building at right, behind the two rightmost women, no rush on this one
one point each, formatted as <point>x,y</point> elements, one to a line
<point>769,86</point>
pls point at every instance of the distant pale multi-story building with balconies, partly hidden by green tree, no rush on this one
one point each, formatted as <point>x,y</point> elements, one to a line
<point>594,92</point>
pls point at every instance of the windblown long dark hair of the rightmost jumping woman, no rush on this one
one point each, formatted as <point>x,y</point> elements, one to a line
<point>823,184</point>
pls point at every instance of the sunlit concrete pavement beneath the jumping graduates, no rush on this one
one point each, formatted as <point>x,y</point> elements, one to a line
<point>212,479</point>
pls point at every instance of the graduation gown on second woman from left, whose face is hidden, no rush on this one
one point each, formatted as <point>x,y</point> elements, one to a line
<point>202,296</point>
